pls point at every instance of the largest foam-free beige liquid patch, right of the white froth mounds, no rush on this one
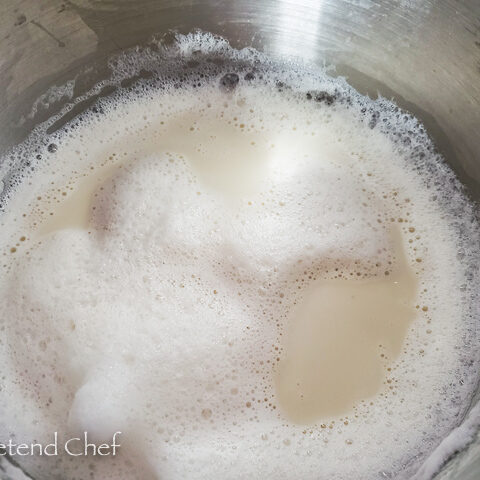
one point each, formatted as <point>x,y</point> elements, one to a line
<point>336,338</point>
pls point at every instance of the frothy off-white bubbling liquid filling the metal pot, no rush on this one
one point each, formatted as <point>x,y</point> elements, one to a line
<point>172,236</point>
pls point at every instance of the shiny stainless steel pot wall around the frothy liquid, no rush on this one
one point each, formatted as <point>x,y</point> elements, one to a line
<point>423,53</point>
